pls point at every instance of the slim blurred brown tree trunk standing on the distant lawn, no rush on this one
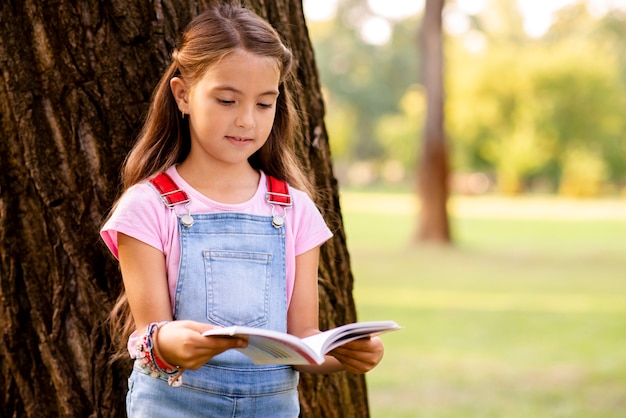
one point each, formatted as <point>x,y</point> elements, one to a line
<point>433,223</point>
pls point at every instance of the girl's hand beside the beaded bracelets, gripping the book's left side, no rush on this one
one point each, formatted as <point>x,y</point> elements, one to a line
<point>181,343</point>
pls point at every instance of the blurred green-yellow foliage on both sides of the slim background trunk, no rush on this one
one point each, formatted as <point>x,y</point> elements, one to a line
<point>545,111</point>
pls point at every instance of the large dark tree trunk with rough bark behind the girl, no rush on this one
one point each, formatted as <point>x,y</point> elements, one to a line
<point>77,77</point>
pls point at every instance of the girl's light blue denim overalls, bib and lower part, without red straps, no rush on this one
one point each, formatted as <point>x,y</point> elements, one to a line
<point>232,272</point>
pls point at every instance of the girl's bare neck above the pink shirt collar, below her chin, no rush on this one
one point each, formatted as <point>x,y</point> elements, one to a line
<point>229,185</point>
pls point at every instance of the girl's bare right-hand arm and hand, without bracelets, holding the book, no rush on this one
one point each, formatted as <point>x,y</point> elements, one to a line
<point>302,321</point>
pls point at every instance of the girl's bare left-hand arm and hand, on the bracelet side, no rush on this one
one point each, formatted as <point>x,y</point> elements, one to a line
<point>178,343</point>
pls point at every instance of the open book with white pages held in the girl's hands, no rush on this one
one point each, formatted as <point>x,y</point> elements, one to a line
<point>273,347</point>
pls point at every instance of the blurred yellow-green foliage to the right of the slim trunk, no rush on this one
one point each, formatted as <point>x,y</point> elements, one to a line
<point>526,120</point>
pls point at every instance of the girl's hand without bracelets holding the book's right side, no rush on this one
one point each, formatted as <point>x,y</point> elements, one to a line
<point>360,356</point>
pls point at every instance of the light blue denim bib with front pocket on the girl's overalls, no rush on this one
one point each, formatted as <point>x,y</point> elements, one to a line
<point>232,272</point>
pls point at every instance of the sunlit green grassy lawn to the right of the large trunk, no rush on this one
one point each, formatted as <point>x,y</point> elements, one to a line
<point>524,317</point>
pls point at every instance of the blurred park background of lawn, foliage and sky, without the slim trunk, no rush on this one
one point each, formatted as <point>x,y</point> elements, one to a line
<point>523,314</point>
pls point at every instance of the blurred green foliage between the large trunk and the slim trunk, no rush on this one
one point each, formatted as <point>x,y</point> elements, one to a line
<point>362,81</point>
